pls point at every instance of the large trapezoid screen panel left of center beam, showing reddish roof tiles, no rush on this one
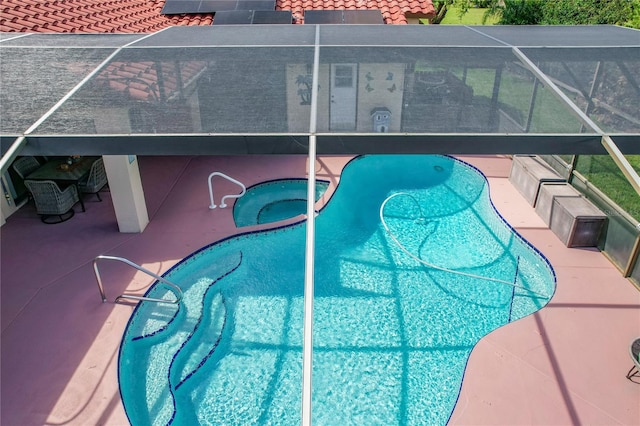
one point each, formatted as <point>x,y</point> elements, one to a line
<point>189,90</point>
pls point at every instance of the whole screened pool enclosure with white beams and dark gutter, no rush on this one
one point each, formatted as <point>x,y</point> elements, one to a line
<point>556,92</point>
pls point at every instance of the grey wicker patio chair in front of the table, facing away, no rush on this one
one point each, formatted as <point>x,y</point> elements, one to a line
<point>51,201</point>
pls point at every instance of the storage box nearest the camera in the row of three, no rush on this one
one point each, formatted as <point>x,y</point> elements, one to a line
<point>576,221</point>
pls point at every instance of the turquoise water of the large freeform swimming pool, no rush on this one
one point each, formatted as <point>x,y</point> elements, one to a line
<point>391,335</point>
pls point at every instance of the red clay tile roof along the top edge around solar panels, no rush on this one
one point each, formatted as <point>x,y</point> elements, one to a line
<point>144,16</point>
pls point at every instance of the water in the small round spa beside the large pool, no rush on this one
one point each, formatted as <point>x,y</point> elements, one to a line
<point>272,201</point>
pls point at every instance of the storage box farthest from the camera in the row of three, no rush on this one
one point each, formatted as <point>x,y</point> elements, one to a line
<point>528,172</point>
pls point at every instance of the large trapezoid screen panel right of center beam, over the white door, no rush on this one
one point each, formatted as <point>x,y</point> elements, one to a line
<point>434,90</point>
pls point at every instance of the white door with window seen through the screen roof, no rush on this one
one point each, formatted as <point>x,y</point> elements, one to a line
<point>343,97</point>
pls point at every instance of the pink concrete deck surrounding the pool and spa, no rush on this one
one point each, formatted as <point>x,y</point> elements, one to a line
<point>566,364</point>
